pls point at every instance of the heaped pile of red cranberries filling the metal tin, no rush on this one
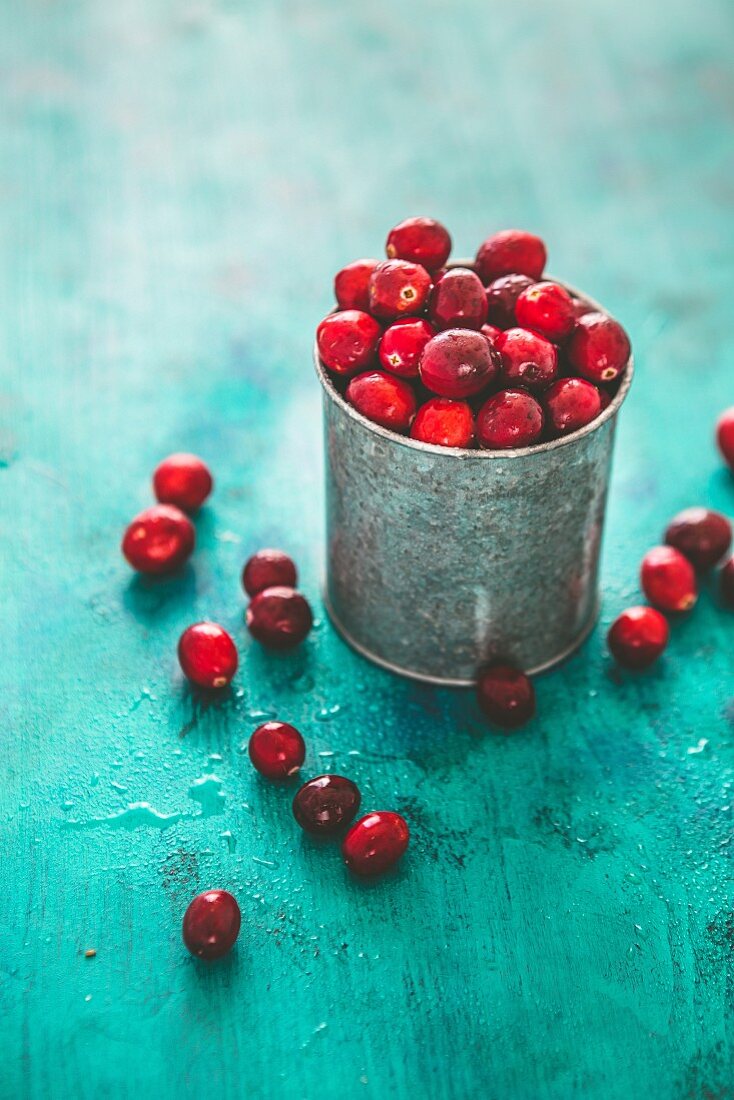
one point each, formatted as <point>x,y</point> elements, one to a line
<point>489,355</point>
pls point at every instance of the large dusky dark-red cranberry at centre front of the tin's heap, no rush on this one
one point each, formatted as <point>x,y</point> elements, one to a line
<point>458,364</point>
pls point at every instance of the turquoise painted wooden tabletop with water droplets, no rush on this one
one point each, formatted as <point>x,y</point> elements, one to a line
<point>180,181</point>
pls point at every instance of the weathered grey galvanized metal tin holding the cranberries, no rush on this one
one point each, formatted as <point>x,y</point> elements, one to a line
<point>441,560</point>
